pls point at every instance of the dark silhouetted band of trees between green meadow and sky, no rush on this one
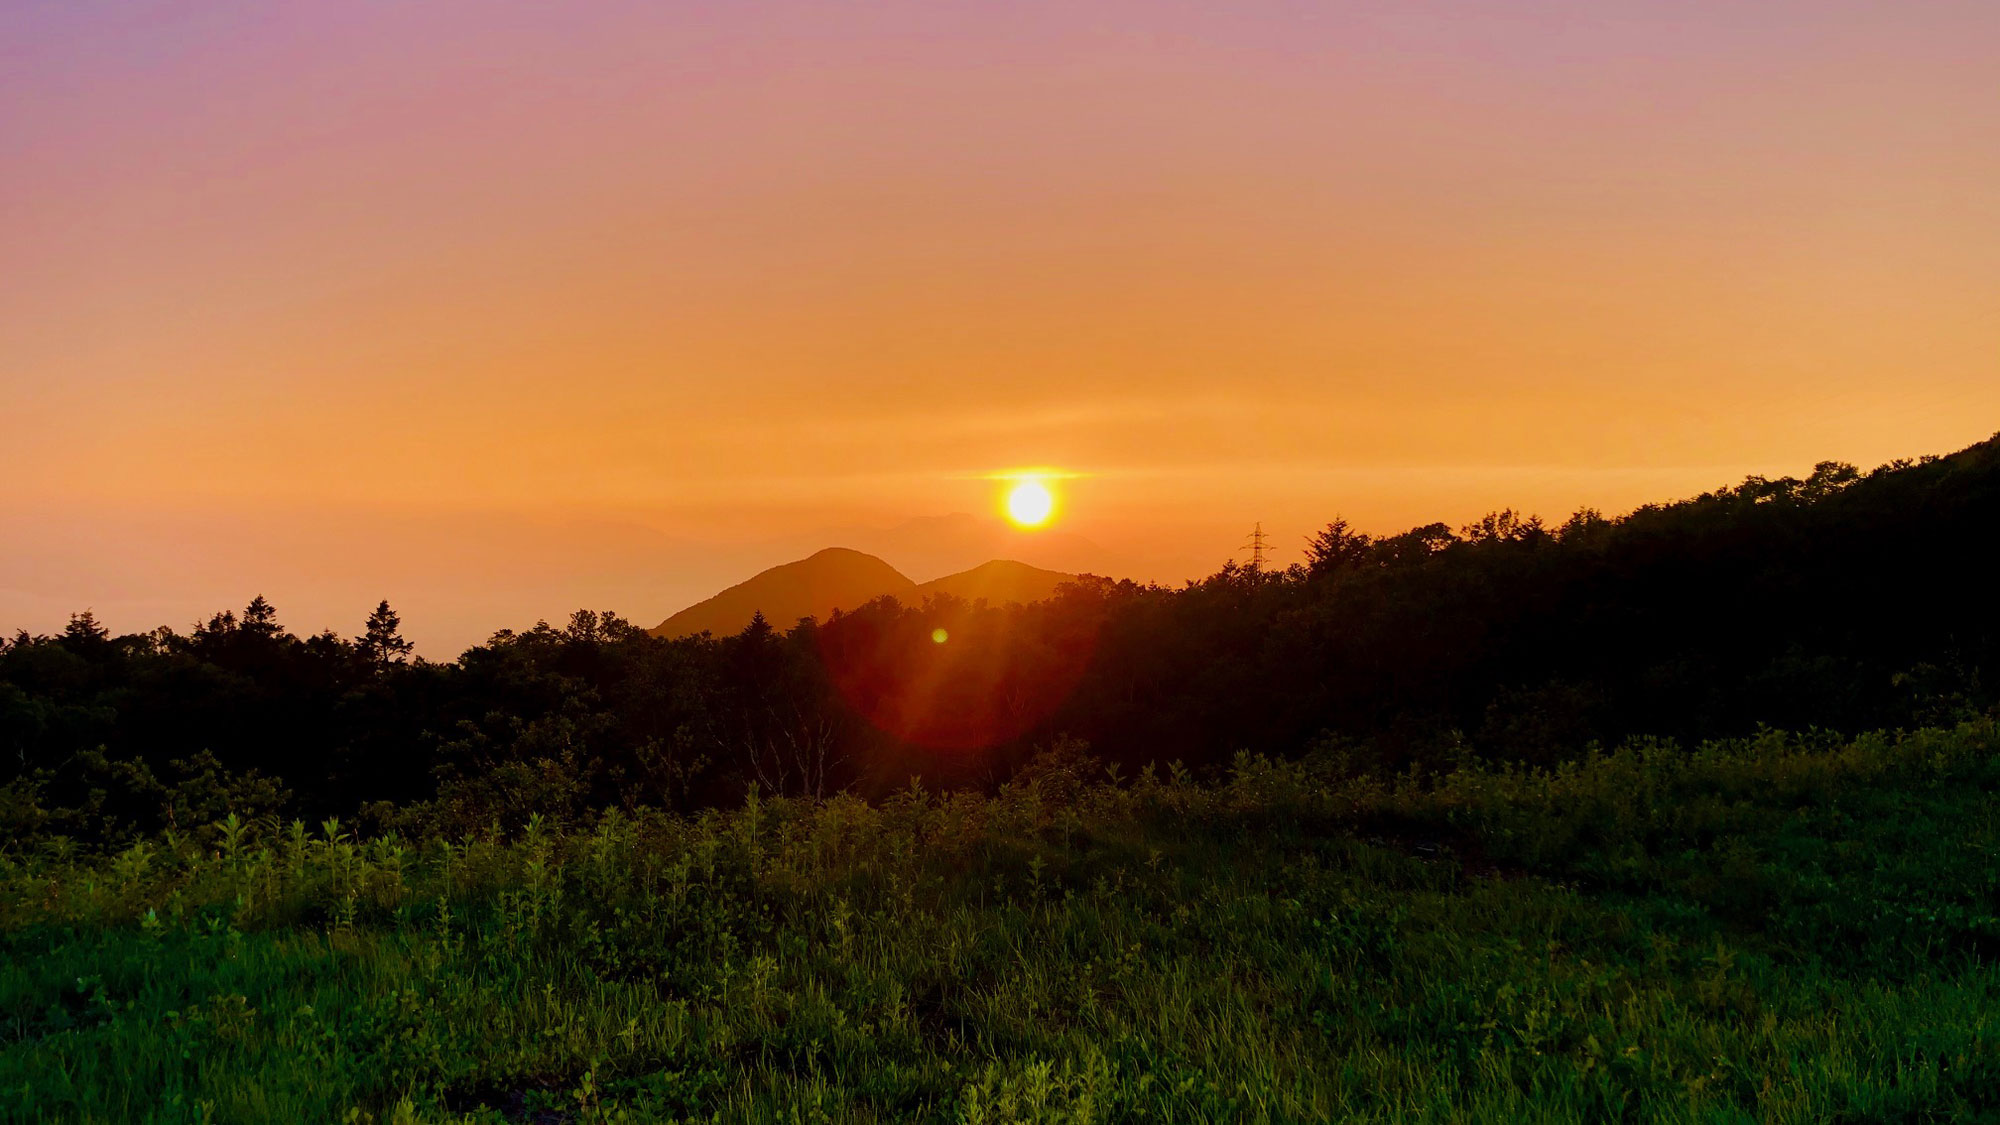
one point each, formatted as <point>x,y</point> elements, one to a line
<point>1841,602</point>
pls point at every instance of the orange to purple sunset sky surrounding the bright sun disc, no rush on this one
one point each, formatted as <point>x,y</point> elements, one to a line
<point>503,309</point>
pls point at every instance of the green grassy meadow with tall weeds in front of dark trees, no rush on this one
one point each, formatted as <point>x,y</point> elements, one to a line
<point>1771,930</point>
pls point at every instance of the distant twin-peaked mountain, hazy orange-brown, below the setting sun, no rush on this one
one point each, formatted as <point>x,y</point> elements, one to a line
<point>847,580</point>
